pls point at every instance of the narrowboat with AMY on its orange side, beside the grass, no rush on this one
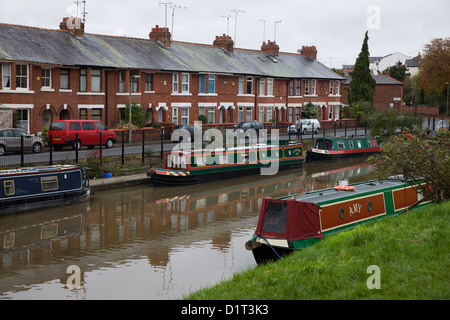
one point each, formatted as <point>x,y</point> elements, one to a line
<point>294,222</point>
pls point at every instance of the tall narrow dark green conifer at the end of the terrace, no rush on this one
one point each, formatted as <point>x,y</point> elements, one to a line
<point>362,85</point>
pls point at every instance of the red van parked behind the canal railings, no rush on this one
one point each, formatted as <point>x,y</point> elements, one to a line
<point>64,133</point>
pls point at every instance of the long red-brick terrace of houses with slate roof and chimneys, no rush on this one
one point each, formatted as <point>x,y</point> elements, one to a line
<point>69,74</point>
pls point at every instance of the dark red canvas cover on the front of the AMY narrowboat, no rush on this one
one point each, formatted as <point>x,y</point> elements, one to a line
<point>289,219</point>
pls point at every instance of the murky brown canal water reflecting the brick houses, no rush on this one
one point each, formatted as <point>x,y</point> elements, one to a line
<point>145,242</point>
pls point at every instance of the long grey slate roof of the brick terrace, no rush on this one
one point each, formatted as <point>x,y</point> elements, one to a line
<point>37,45</point>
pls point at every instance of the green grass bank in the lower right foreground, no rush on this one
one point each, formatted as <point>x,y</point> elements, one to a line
<point>411,251</point>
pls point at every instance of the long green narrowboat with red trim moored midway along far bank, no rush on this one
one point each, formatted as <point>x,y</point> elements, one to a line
<point>196,166</point>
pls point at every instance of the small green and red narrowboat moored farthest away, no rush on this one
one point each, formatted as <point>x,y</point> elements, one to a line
<point>336,148</point>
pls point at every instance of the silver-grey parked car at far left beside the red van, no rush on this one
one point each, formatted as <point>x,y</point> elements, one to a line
<point>10,141</point>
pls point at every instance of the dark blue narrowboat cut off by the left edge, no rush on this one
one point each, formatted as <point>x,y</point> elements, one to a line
<point>40,187</point>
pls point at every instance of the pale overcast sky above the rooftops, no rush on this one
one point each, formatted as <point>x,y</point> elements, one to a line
<point>335,27</point>
